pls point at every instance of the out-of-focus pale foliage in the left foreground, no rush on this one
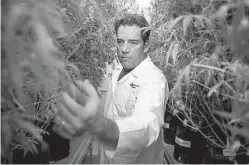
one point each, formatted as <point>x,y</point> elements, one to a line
<point>32,67</point>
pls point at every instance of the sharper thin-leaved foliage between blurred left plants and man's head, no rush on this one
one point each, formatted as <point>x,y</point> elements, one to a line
<point>90,43</point>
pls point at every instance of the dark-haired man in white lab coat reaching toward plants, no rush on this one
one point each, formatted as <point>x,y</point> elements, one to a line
<point>128,126</point>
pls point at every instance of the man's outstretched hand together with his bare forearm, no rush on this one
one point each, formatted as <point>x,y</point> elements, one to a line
<point>78,112</point>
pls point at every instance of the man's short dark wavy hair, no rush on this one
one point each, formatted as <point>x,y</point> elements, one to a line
<point>134,19</point>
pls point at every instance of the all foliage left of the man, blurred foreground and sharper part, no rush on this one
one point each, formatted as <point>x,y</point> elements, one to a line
<point>45,46</point>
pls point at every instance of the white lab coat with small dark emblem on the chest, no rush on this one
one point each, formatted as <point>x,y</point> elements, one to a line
<point>137,104</point>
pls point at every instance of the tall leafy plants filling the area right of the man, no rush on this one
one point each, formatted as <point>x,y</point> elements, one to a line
<point>202,48</point>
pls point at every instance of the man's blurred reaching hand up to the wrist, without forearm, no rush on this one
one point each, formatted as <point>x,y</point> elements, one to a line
<point>77,110</point>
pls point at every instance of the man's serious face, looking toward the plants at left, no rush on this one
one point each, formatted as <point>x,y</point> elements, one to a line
<point>130,46</point>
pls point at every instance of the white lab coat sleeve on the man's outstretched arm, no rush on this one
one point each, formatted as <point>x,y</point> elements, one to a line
<point>142,128</point>
